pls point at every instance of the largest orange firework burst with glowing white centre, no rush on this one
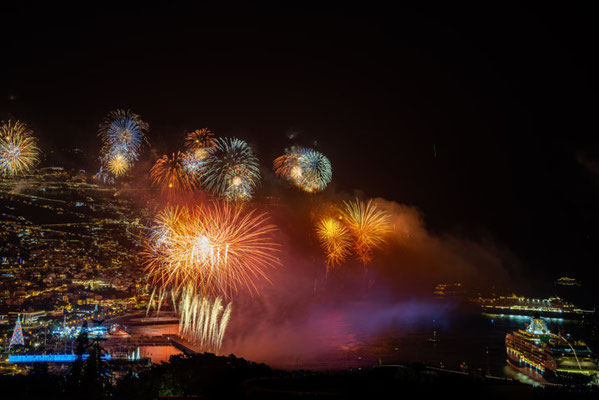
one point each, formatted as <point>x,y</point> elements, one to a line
<point>217,248</point>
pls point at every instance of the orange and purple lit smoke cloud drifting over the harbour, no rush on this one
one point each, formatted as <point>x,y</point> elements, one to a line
<point>306,318</point>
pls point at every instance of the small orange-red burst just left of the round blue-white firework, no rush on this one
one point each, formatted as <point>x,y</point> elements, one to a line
<point>169,174</point>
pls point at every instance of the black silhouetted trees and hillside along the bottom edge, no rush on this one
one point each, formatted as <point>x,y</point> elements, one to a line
<point>207,376</point>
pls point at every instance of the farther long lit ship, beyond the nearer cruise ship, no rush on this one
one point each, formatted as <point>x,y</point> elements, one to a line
<point>553,307</point>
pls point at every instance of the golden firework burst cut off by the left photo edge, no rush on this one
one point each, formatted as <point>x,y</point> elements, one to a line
<point>19,151</point>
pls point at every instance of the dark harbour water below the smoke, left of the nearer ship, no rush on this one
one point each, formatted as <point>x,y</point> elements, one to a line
<point>473,340</point>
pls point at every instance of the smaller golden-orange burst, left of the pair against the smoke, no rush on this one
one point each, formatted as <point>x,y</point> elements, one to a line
<point>334,239</point>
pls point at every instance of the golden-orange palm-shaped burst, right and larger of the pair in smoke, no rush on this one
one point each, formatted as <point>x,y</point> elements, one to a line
<point>367,225</point>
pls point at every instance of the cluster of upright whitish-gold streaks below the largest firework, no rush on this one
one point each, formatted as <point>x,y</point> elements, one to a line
<point>203,321</point>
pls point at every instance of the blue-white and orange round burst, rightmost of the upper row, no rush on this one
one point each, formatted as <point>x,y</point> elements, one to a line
<point>306,168</point>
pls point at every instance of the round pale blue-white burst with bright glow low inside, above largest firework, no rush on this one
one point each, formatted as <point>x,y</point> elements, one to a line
<point>231,170</point>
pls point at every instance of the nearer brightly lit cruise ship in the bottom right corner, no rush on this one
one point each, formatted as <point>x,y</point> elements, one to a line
<point>547,357</point>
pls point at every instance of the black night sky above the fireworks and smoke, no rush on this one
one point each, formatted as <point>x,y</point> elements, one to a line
<point>485,119</point>
